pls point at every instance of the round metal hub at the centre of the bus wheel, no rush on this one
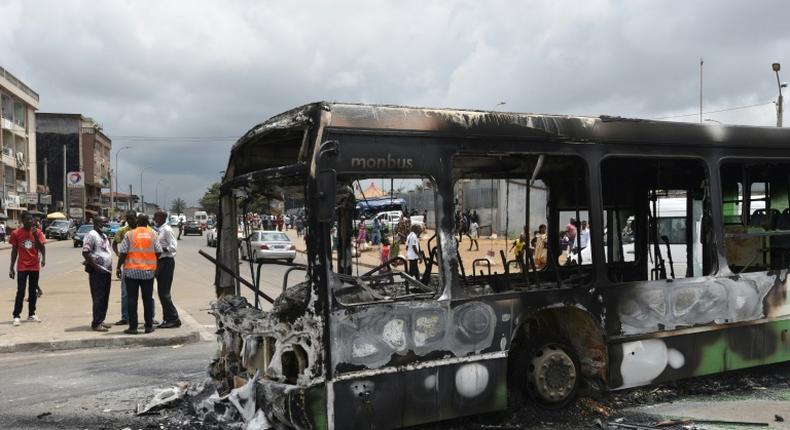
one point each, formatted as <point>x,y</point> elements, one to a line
<point>554,375</point>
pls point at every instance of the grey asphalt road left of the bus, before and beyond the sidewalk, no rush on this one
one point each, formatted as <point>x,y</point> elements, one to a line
<point>100,388</point>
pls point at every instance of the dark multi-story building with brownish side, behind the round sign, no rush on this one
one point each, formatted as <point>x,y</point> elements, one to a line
<point>87,150</point>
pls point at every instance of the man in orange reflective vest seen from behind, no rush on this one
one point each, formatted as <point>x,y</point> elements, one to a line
<point>139,253</point>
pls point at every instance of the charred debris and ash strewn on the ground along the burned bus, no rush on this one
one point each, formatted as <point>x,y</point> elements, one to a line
<point>202,405</point>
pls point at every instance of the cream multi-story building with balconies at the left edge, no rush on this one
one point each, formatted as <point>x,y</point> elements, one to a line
<point>18,104</point>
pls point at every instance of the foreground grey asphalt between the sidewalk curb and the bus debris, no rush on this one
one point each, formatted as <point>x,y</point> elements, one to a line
<point>92,389</point>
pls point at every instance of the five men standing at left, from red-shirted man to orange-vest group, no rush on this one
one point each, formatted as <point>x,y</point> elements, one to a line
<point>145,253</point>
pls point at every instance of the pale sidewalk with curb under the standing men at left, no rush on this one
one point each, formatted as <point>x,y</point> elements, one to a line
<point>65,310</point>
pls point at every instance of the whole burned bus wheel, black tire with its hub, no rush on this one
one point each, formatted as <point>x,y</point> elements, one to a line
<point>547,371</point>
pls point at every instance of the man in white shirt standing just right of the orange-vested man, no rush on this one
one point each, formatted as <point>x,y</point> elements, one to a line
<point>164,270</point>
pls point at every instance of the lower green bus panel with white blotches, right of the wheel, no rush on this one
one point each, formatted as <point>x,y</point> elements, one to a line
<point>667,358</point>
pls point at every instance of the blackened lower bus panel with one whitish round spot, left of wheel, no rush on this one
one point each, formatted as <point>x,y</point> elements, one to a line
<point>412,397</point>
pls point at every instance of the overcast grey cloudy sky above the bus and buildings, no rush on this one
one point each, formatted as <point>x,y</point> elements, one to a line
<point>179,81</point>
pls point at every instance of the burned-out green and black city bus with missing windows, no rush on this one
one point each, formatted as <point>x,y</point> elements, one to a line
<point>363,346</point>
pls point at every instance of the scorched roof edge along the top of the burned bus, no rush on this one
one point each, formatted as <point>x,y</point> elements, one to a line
<point>469,123</point>
